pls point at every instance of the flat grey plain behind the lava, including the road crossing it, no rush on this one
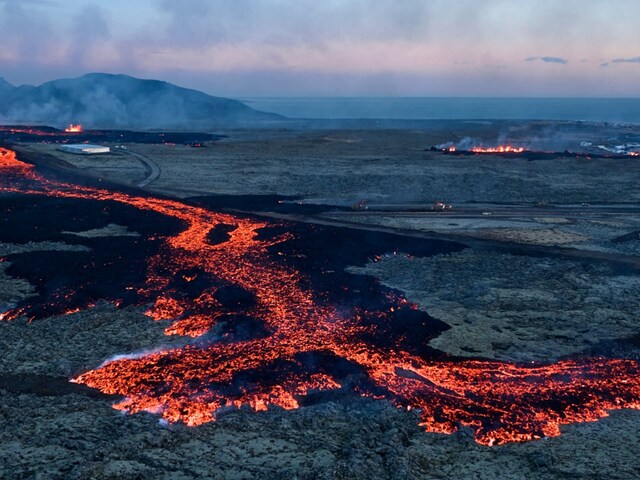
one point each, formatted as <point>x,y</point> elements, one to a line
<point>572,202</point>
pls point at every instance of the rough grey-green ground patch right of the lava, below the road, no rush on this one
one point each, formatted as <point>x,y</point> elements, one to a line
<point>518,308</point>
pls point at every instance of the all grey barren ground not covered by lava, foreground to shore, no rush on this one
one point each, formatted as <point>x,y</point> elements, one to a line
<point>544,278</point>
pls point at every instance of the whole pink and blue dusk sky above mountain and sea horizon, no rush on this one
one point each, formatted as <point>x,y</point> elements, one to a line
<point>333,47</point>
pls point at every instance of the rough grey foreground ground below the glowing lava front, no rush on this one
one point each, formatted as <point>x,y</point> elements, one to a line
<point>73,436</point>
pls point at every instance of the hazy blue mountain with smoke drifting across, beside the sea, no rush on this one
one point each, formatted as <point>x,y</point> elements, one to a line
<point>99,100</point>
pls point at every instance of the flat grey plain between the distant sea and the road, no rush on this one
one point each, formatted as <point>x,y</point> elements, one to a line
<point>344,166</point>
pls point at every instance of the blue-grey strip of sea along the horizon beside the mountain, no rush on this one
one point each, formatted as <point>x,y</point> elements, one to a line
<point>618,110</point>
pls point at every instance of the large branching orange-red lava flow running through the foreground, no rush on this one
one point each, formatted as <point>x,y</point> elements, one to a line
<point>501,402</point>
